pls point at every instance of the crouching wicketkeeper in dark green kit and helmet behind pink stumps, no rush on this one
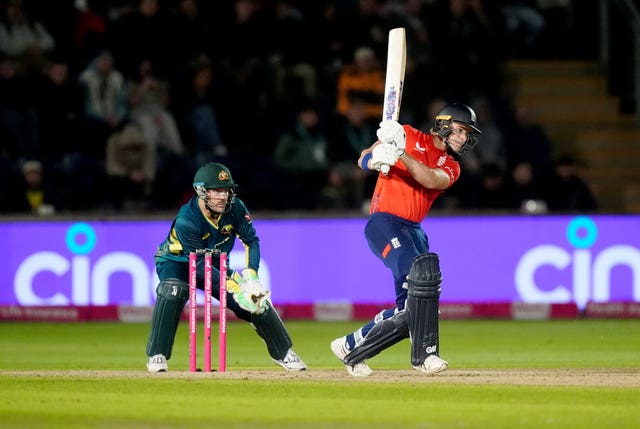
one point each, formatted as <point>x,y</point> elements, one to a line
<point>212,219</point>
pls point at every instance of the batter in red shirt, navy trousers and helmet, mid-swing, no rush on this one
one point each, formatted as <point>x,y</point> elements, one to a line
<point>422,167</point>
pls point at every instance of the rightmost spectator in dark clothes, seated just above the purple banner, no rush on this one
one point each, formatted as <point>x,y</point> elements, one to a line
<point>567,190</point>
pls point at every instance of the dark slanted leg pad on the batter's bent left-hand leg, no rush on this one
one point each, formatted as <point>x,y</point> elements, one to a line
<point>382,335</point>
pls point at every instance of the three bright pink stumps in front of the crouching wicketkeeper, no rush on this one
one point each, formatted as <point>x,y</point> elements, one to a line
<point>222,322</point>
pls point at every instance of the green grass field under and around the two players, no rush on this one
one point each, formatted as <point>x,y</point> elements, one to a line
<point>41,398</point>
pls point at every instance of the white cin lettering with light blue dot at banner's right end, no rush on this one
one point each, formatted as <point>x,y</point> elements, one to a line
<point>591,273</point>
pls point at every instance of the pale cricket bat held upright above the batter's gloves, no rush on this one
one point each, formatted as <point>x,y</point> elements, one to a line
<point>394,79</point>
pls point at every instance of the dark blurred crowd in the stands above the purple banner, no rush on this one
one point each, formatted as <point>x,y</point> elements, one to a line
<point>112,105</point>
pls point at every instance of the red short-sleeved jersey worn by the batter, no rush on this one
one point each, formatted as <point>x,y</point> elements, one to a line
<point>400,194</point>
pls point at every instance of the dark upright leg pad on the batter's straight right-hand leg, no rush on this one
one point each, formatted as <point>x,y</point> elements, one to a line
<point>422,306</point>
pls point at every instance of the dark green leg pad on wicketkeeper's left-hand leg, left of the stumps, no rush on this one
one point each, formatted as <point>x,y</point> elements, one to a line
<point>172,295</point>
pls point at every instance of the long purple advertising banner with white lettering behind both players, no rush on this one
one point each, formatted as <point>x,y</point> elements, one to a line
<point>554,259</point>
